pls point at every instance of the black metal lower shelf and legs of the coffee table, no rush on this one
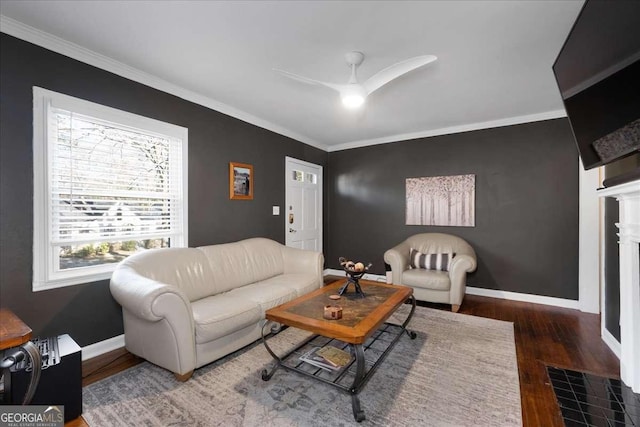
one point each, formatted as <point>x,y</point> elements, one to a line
<point>351,378</point>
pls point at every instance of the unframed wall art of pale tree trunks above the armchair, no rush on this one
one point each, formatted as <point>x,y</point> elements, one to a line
<point>442,200</point>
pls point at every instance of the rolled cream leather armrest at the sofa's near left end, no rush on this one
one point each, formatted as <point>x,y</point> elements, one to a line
<point>140,295</point>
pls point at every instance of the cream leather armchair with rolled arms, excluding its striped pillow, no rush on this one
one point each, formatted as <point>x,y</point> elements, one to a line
<point>446,287</point>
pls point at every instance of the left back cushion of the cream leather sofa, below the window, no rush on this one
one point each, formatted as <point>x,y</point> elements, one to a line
<point>185,268</point>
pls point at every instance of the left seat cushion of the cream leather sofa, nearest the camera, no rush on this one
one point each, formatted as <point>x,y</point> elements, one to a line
<point>220,315</point>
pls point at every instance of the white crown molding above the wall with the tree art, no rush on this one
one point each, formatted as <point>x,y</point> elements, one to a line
<point>509,121</point>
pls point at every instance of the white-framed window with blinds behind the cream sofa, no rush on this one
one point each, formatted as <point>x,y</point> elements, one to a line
<point>107,184</point>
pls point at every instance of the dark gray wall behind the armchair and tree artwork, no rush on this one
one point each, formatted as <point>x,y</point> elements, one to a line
<point>526,233</point>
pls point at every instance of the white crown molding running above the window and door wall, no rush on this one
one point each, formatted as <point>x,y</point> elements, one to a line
<point>56,44</point>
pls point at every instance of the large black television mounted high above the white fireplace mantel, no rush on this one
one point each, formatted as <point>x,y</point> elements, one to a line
<point>598,74</point>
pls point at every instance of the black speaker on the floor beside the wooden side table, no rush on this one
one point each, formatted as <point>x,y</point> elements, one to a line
<point>60,384</point>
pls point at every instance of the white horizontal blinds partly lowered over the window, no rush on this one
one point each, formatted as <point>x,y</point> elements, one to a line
<point>110,182</point>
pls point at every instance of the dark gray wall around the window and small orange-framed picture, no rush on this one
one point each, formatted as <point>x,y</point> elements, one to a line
<point>87,312</point>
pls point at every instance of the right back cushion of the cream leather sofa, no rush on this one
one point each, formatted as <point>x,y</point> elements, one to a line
<point>244,262</point>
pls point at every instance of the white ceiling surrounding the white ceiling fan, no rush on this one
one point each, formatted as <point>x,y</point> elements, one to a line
<point>494,58</point>
